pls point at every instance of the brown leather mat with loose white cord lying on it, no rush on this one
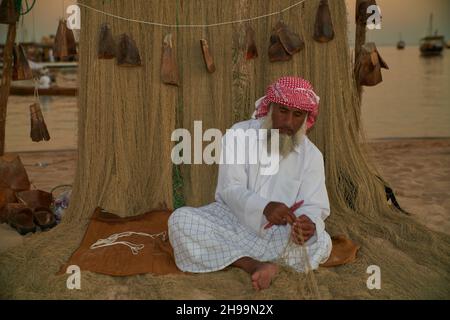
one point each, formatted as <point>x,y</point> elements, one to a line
<point>118,260</point>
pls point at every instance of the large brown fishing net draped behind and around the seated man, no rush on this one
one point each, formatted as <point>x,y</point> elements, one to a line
<point>126,117</point>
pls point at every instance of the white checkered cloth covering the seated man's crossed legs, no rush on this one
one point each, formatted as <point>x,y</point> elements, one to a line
<point>211,238</point>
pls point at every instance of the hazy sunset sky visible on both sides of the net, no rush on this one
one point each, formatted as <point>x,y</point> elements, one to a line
<point>408,17</point>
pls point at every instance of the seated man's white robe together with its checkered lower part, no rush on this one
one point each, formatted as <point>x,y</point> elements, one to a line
<point>211,237</point>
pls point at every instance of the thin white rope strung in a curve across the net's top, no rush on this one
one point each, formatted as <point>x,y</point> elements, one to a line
<point>191,25</point>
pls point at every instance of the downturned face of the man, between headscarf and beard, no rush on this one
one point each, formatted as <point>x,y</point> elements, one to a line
<point>286,119</point>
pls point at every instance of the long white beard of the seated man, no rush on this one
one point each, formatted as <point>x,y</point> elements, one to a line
<point>287,143</point>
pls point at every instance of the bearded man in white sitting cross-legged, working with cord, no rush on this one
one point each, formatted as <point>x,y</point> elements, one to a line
<point>254,215</point>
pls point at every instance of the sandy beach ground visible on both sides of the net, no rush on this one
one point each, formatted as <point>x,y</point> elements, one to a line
<point>417,169</point>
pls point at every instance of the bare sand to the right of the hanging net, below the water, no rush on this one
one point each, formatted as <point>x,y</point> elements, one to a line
<point>419,172</point>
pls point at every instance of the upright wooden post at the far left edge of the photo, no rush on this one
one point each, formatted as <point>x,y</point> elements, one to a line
<point>6,82</point>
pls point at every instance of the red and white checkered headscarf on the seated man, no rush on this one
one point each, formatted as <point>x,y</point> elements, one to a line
<point>293,92</point>
